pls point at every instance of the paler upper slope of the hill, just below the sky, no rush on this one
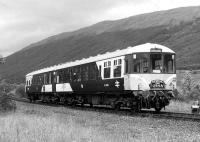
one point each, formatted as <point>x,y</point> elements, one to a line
<point>169,18</point>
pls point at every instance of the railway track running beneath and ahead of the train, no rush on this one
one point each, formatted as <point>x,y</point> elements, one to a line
<point>123,111</point>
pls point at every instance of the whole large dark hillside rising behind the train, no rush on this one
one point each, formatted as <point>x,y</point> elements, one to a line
<point>178,29</point>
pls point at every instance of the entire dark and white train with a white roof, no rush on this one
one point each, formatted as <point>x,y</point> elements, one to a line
<point>139,77</point>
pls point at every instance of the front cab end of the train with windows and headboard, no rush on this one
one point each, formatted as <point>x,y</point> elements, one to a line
<point>152,76</point>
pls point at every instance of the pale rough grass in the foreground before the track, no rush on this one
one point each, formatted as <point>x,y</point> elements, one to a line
<point>31,123</point>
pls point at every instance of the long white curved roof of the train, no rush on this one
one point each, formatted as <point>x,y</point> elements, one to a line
<point>129,50</point>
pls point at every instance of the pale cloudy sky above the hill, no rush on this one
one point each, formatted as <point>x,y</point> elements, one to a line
<point>23,22</point>
